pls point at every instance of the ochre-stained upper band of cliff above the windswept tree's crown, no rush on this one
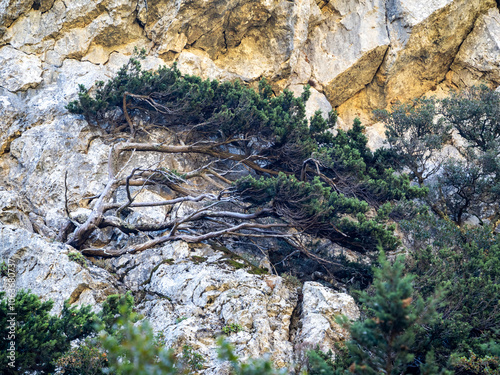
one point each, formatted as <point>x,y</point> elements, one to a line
<point>360,54</point>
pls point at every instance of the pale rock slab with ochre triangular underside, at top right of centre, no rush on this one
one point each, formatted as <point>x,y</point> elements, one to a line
<point>347,46</point>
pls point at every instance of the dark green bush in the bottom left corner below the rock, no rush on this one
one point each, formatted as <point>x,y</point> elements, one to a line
<point>43,341</point>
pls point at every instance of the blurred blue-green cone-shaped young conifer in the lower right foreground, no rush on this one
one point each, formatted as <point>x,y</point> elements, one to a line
<point>383,343</point>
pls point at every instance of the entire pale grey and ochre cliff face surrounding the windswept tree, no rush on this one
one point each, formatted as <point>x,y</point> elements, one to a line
<point>357,55</point>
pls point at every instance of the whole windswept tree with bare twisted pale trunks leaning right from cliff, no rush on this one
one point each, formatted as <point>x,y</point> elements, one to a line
<point>267,169</point>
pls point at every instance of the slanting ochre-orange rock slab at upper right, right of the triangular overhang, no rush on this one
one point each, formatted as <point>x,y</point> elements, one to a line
<point>425,38</point>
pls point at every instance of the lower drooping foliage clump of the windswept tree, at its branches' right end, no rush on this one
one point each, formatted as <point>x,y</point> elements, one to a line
<point>319,210</point>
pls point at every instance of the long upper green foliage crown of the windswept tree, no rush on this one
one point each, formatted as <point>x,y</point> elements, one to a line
<point>207,109</point>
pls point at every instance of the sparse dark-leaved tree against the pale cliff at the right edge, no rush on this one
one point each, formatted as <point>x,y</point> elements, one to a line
<point>461,186</point>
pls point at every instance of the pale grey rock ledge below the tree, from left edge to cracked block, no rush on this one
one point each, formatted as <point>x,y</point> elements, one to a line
<point>189,293</point>
